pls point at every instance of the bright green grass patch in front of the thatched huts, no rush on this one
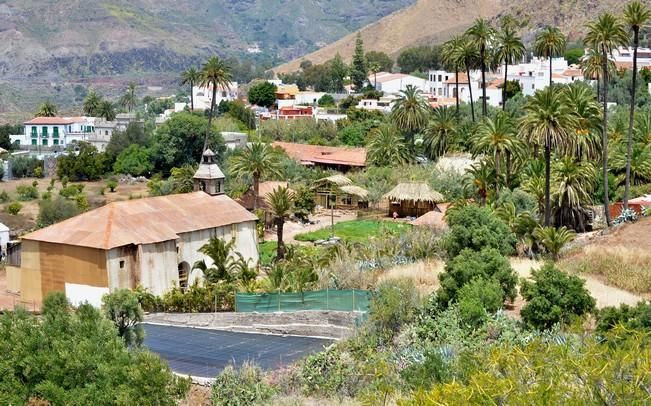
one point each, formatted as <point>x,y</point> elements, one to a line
<point>355,230</point>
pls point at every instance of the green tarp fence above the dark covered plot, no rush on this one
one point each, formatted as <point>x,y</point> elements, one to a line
<point>342,300</point>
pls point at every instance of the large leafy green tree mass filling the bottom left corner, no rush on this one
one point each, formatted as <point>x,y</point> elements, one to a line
<point>76,357</point>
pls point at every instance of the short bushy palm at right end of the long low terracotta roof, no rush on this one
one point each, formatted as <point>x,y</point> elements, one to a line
<point>386,147</point>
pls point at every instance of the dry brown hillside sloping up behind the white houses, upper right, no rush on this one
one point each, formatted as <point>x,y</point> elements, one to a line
<point>434,21</point>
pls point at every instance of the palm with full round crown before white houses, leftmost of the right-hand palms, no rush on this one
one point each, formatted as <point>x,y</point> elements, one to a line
<point>410,112</point>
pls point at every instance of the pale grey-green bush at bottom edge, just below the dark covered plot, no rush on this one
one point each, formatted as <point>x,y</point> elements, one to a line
<point>242,386</point>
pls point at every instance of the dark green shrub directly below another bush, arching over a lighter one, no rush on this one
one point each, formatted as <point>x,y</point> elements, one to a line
<point>488,264</point>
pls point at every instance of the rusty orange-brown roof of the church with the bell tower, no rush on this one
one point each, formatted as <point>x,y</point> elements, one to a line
<point>144,221</point>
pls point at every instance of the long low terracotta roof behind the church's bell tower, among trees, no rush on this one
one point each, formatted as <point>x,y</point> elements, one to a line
<point>311,154</point>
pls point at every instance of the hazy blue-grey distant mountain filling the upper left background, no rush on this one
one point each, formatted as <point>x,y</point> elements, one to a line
<point>49,47</point>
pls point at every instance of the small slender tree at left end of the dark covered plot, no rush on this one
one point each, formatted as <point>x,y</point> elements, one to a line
<point>123,309</point>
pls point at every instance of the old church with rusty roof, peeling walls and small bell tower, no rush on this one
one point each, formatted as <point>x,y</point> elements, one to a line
<point>150,242</point>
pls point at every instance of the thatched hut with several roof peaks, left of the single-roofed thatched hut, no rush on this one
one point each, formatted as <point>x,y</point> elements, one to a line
<point>339,191</point>
